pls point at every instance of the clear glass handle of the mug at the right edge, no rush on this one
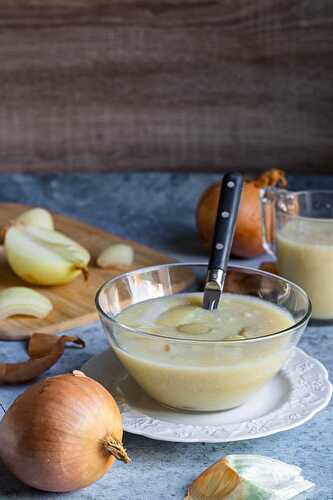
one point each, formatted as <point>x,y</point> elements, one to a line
<point>268,198</point>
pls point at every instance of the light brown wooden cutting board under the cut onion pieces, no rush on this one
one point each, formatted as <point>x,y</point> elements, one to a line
<point>74,303</point>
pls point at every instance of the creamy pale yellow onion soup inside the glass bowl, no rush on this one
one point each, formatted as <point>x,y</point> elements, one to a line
<point>201,376</point>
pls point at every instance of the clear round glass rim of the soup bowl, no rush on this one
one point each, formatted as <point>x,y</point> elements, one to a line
<point>253,270</point>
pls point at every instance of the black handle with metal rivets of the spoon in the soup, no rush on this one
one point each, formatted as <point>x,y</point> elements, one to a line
<point>231,190</point>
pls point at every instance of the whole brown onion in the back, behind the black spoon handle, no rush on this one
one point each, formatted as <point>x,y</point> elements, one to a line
<point>248,238</point>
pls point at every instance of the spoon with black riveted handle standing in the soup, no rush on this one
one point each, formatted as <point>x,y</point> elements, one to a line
<point>231,190</point>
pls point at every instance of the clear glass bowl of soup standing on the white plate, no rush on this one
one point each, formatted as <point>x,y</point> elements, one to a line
<point>201,375</point>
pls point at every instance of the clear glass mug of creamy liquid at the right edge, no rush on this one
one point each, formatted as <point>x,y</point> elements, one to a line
<point>298,231</point>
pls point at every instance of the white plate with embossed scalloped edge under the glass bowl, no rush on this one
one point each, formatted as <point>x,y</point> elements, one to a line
<point>295,395</point>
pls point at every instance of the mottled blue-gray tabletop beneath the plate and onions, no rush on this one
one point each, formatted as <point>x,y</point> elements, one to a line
<point>158,209</point>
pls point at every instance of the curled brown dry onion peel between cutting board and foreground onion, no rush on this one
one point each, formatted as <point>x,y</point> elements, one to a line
<point>44,351</point>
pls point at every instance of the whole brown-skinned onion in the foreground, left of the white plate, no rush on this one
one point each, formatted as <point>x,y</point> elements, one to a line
<point>62,434</point>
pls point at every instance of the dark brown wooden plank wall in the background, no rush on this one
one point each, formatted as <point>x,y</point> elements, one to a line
<point>174,84</point>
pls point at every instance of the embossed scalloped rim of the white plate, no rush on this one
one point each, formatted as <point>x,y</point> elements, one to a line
<point>128,427</point>
